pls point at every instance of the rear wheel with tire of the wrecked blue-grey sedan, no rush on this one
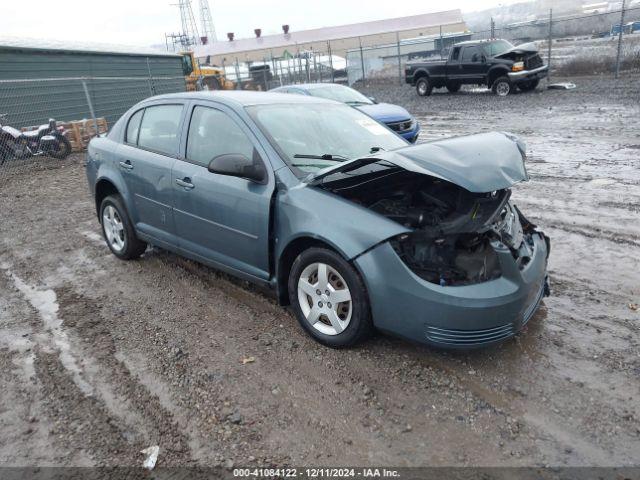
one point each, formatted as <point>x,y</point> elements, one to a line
<point>118,231</point>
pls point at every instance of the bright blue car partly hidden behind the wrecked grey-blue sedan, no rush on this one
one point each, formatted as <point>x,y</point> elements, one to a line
<point>393,116</point>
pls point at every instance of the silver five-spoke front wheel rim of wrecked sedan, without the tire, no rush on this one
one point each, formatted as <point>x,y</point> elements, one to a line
<point>324,298</point>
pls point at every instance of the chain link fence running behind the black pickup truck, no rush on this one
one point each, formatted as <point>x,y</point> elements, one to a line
<point>585,44</point>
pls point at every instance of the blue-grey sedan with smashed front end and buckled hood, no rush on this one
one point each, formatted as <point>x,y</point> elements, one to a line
<point>352,227</point>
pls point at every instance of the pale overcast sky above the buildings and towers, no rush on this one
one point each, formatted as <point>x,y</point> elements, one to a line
<point>144,22</point>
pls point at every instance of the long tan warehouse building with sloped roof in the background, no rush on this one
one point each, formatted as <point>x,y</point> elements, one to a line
<point>339,39</point>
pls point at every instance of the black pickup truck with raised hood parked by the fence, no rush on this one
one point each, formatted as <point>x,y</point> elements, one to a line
<point>494,63</point>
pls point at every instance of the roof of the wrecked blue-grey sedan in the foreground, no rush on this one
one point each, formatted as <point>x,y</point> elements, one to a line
<point>243,98</point>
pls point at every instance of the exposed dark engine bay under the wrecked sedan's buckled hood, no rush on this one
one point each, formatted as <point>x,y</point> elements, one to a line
<point>453,229</point>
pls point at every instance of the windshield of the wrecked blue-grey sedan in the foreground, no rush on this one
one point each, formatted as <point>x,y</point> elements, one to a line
<point>310,137</point>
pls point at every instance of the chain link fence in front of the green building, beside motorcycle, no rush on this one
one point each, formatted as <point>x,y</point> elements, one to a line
<point>80,106</point>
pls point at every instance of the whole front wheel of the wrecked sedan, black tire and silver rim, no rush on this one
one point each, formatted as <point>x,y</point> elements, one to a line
<point>329,298</point>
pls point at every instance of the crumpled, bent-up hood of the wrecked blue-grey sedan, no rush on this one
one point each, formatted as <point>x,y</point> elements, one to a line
<point>478,163</point>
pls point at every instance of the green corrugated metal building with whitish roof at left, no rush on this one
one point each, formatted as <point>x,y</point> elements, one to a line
<point>63,80</point>
